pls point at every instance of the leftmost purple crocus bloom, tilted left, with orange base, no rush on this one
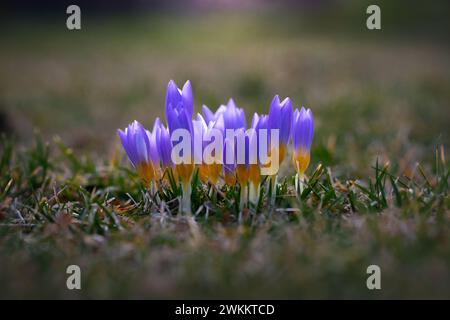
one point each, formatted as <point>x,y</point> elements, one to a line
<point>139,144</point>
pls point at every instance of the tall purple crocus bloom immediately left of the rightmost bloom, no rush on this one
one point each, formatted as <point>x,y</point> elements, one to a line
<point>280,118</point>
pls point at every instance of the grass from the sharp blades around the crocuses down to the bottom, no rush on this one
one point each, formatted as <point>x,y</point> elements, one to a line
<point>58,210</point>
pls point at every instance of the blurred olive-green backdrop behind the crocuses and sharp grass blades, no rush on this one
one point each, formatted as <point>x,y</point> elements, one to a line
<point>374,94</point>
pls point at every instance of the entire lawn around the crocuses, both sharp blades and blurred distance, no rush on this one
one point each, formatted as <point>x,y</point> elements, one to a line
<point>378,188</point>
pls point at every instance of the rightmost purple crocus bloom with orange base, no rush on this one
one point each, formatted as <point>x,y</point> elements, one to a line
<point>302,136</point>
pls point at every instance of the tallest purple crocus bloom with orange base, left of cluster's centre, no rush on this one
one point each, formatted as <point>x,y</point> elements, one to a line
<point>179,110</point>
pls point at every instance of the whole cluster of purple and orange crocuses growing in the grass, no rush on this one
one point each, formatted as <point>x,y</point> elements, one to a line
<point>156,154</point>
